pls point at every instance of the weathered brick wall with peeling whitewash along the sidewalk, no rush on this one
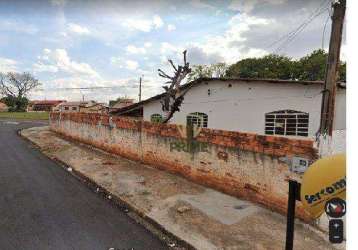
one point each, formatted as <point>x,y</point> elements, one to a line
<point>242,164</point>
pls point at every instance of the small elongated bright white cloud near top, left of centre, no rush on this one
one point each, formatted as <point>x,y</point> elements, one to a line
<point>145,25</point>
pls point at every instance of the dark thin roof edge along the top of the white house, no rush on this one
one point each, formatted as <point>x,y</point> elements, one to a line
<point>205,79</point>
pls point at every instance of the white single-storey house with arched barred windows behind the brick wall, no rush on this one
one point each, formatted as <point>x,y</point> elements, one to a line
<point>262,106</point>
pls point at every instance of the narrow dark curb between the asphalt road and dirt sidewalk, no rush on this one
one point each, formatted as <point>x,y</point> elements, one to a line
<point>117,201</point>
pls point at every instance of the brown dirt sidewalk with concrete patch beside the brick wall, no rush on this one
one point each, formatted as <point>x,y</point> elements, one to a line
<point>202,217</point>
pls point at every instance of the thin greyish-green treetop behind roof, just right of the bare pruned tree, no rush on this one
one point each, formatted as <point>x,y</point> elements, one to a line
<point>213,70</point>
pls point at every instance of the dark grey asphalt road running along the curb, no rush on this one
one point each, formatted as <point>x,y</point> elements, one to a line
<point>42,207</point>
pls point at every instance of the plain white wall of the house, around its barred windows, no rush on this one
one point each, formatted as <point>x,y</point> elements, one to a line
<point>242,106</point>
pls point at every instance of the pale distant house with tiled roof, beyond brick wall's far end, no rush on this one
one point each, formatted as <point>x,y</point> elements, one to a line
<point>82,106</point>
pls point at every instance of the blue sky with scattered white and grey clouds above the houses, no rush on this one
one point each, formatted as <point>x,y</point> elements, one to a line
<point>79,43</point>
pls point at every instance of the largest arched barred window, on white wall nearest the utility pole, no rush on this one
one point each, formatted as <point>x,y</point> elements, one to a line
<point>286,122</point>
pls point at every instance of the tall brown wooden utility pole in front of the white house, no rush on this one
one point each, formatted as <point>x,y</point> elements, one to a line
<point>330,83</point>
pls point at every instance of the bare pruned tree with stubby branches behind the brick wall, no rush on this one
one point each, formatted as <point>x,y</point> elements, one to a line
<point>174,96</point>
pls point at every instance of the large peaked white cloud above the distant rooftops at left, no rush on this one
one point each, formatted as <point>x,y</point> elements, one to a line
<point>59,61</point>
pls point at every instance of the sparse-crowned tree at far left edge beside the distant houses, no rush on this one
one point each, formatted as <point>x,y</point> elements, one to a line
<point>15,87</point>
